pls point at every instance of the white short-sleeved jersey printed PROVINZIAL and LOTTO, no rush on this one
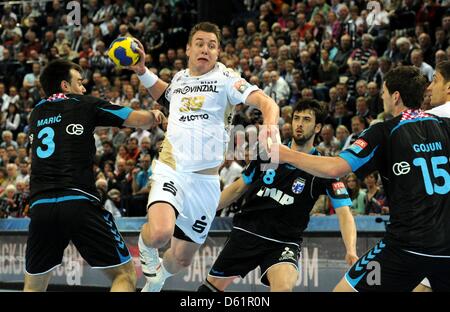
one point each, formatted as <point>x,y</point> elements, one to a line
<point>201,109</point>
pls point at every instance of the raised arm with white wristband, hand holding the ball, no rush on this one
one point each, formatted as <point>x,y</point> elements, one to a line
<point>151,82</point>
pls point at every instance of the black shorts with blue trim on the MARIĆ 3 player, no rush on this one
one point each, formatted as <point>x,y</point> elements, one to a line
<point>55,221</point>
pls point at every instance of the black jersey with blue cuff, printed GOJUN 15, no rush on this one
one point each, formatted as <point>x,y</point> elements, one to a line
<point>411,152</point>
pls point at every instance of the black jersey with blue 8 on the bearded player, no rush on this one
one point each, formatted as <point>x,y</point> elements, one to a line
<point>278,202</point>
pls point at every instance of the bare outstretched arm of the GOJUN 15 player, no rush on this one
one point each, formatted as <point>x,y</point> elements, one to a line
<point>319,166</point>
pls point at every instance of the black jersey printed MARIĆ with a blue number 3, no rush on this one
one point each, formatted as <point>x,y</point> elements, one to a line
<point>63,147</point>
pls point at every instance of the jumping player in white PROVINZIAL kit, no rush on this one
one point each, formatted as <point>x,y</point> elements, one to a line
<point>185,188</point>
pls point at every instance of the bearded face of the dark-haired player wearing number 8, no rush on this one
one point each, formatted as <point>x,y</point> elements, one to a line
<point>304,126</point>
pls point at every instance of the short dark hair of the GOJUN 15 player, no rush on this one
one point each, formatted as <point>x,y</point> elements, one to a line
<point>409,82</point>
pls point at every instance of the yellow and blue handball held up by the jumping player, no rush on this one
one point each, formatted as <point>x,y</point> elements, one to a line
<point>122,51</point>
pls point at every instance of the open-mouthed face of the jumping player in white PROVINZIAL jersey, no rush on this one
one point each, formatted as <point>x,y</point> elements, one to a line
<point>203,52</point>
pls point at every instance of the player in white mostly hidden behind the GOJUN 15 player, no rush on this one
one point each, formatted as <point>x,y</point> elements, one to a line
<point>440,100</point>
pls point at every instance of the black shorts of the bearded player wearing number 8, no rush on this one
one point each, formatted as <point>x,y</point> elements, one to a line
<point>243,252</point>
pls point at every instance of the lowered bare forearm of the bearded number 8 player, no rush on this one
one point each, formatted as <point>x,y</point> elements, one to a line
<point>348,232</point>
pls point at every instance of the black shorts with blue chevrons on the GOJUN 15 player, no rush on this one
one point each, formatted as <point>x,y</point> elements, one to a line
<point>387,268</point>
